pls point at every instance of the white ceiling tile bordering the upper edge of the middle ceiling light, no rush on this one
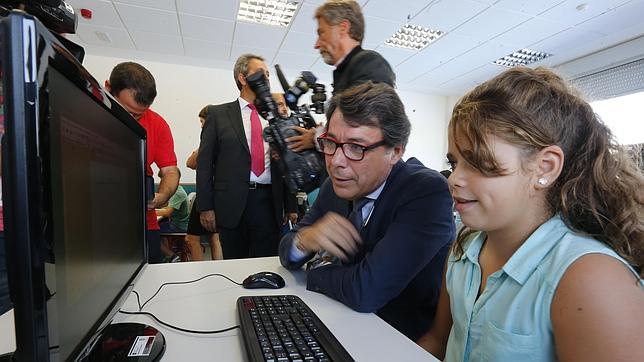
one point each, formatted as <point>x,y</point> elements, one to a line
<point>447,15</point>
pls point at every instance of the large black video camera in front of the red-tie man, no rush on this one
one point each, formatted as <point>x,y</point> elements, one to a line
<point>302,170</point>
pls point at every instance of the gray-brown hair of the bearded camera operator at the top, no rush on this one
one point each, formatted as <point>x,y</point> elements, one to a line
<point>335,11</point>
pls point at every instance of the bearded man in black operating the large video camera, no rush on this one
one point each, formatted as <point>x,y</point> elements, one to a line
<point>340,34</point>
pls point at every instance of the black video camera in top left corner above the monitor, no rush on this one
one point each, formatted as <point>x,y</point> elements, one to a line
<point>56,15</point>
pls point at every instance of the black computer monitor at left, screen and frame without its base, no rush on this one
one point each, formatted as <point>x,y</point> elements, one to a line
<point>74,195</point>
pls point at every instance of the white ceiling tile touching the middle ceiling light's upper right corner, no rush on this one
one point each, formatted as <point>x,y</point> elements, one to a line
<point>491,22</point>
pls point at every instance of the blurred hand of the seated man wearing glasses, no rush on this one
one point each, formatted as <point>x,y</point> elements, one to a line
<point>332,233</point>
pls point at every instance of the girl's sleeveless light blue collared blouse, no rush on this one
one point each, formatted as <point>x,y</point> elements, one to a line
<point>511,319</point>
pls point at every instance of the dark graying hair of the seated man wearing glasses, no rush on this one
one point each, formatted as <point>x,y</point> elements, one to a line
<point>376,105</point>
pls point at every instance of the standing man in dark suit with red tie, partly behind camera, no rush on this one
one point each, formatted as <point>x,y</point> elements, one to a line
<point>239,194</point>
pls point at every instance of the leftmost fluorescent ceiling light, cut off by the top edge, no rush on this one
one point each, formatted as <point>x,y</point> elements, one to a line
<point>267,12</point>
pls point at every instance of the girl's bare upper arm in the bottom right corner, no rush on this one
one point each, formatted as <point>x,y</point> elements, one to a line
<point>597,312</point>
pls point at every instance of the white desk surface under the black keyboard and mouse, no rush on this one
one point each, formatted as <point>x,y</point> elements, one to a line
<point>211,304</point>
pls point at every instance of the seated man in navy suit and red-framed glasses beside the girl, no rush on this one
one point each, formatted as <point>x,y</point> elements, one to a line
<point>380,229</point>
